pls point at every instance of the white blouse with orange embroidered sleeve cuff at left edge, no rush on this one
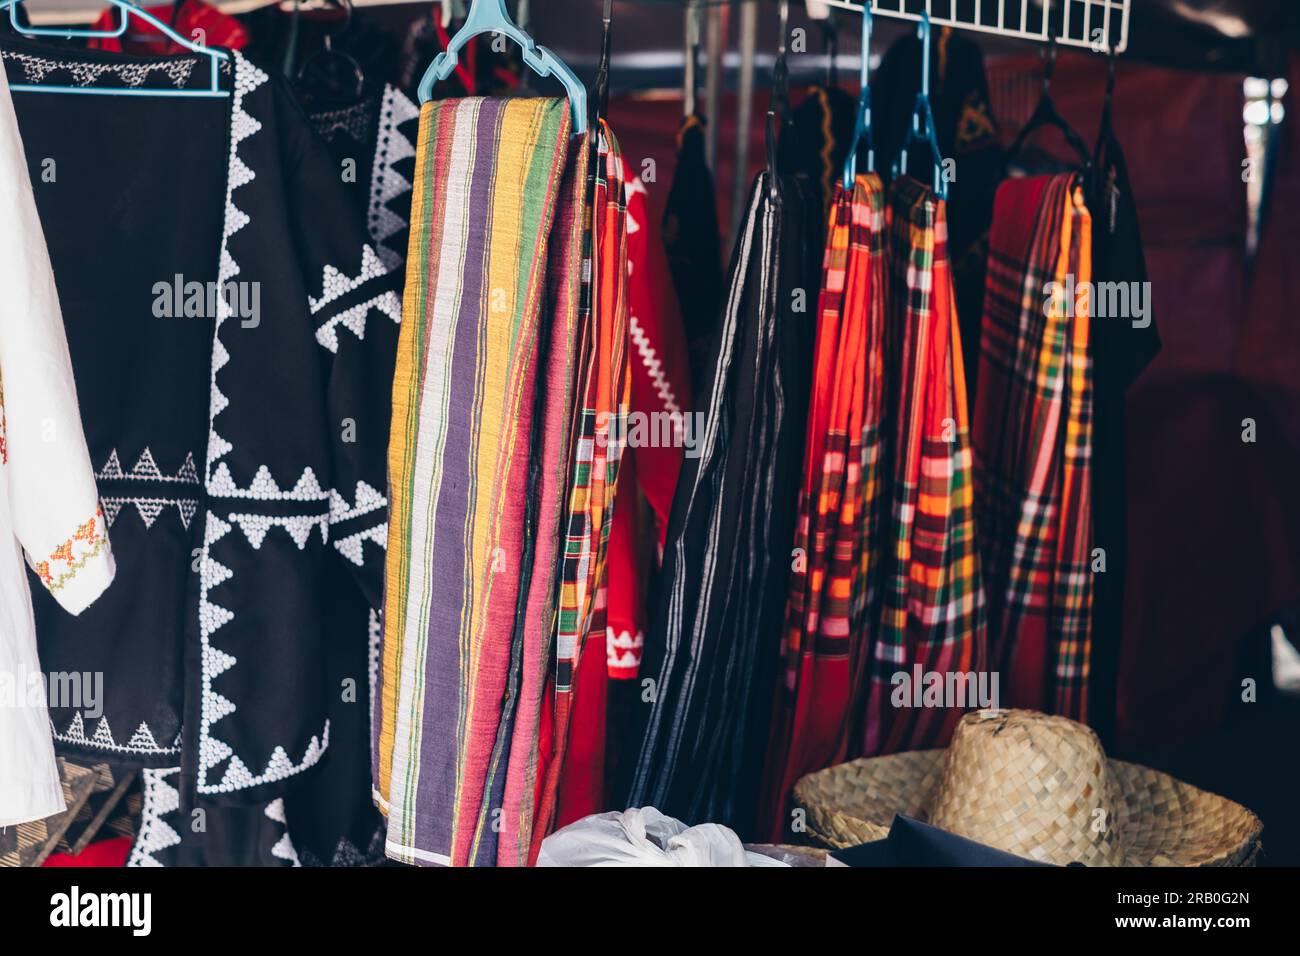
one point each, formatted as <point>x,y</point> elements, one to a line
<point>49,505</point>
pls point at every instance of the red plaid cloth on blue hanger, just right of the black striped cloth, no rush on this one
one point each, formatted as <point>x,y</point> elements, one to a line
<point>834,595</point>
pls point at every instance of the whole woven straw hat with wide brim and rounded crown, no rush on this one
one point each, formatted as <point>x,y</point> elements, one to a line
<point>1039,788</point>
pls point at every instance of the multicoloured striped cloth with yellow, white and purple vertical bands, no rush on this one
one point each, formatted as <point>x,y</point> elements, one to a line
<point>487,187</point>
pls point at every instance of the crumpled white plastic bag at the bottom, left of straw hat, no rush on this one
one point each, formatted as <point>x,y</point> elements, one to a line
<point>645,838</point>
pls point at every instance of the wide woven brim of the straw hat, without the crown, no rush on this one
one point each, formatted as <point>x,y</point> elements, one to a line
<point>1162,820</point>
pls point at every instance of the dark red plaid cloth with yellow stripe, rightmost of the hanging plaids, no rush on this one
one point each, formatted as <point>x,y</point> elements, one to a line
<point>1034,443</point>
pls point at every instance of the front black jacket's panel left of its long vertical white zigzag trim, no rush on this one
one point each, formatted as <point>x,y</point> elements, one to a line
<point>118,224</point>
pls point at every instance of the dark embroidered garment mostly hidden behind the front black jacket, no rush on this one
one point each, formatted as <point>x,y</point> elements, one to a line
<point>332,814</point>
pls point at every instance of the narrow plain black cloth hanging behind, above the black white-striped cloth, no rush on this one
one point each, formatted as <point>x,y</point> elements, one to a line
<point>694,241</point>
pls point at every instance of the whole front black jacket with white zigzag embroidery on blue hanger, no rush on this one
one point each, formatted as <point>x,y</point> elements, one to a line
<point>240,436</point>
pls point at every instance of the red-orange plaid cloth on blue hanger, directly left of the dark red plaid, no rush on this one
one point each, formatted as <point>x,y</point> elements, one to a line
<point>934,607</point>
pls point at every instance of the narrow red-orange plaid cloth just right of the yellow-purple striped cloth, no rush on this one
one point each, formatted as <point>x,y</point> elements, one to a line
<point>605,387</point>
